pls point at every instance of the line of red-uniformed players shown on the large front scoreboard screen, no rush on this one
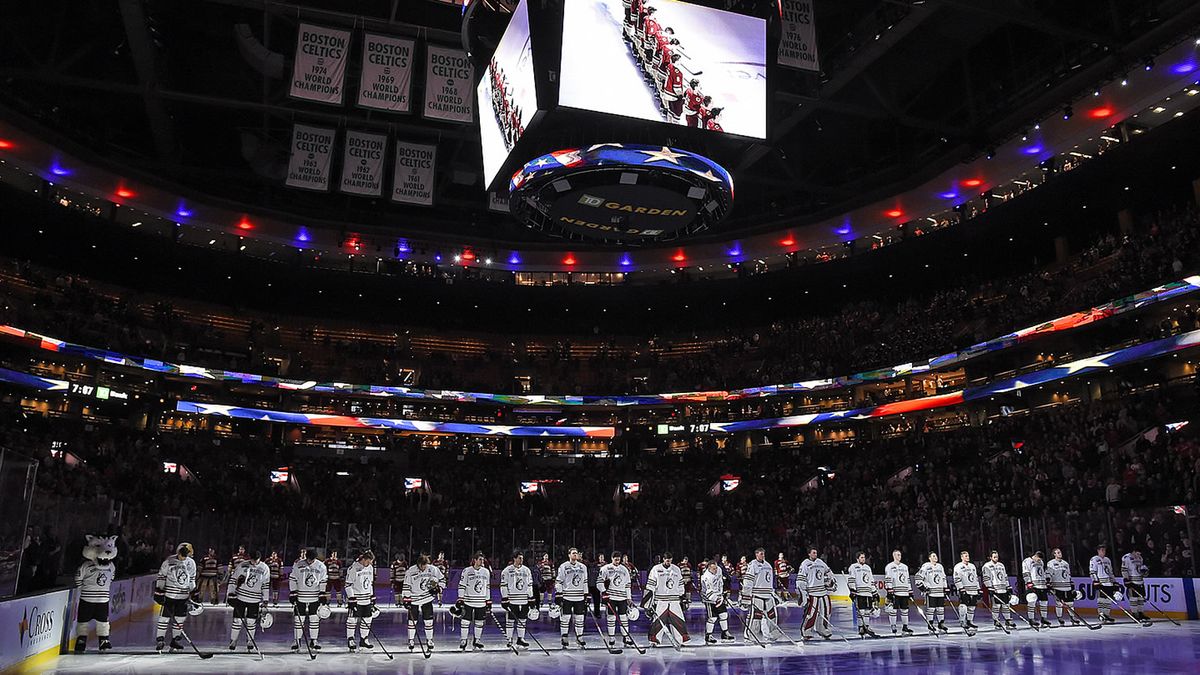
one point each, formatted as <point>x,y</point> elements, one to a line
<point>658,53</point>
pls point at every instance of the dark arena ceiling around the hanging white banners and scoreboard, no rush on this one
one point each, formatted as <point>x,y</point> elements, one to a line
<point>187,93</point>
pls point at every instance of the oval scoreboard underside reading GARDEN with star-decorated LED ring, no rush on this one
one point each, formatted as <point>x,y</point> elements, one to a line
<point>621,194</point>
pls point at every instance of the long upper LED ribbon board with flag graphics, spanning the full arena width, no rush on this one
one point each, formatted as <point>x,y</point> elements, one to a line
<point>1078,320</point>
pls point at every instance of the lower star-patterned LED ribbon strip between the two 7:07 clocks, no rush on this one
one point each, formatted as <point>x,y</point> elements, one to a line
<point>349,422</point>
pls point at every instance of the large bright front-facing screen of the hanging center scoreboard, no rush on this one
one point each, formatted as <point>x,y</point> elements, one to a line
<point>670,62</point>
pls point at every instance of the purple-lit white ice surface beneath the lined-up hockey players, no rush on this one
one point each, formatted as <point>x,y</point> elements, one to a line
<point>1124,648</point>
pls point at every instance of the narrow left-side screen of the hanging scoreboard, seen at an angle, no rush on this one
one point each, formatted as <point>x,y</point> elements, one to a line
<point>508,99</point>
